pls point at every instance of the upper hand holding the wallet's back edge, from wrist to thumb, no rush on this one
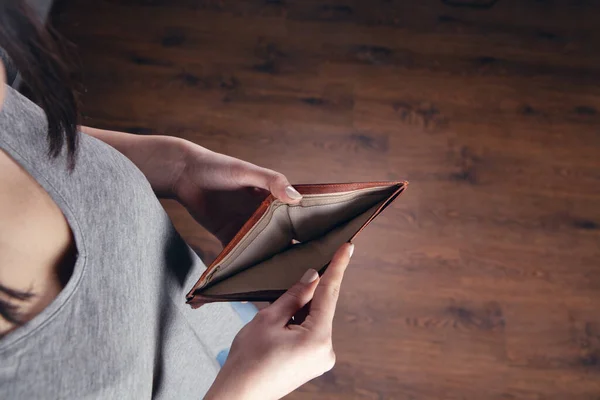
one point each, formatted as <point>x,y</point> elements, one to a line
<point>222,192</point>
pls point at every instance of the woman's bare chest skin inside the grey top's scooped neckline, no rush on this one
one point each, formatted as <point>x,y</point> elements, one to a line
<point>36,244</point>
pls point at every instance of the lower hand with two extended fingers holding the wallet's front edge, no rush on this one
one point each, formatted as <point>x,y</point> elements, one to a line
<point>270,357</point>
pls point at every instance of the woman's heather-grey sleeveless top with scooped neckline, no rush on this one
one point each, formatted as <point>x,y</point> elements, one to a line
<point>120,329</point>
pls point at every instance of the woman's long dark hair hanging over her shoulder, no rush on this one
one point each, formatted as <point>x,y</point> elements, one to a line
<point>39,55</point>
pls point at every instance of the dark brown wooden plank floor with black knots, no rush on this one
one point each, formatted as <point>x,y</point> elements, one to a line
<point>483,279</point>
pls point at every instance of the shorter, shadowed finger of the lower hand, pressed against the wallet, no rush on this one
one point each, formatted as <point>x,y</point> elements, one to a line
<point>284,308</point>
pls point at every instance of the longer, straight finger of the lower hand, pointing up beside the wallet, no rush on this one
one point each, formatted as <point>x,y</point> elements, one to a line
<point>326,294</point>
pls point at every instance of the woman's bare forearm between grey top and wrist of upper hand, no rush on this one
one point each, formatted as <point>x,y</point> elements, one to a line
<point>160,158</point>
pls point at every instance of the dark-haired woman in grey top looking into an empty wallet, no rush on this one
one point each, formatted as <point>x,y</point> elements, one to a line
<point>93,275</point>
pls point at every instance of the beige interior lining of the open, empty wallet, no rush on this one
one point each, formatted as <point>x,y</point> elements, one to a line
<point>320,222</point>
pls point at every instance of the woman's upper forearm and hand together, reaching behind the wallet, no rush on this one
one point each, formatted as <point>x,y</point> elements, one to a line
<point>220,192</point>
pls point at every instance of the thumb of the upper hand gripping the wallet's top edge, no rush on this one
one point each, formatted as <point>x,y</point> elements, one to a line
<point>273,181</point>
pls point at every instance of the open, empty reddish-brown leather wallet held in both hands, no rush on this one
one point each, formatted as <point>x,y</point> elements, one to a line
<point>280,241</point>
